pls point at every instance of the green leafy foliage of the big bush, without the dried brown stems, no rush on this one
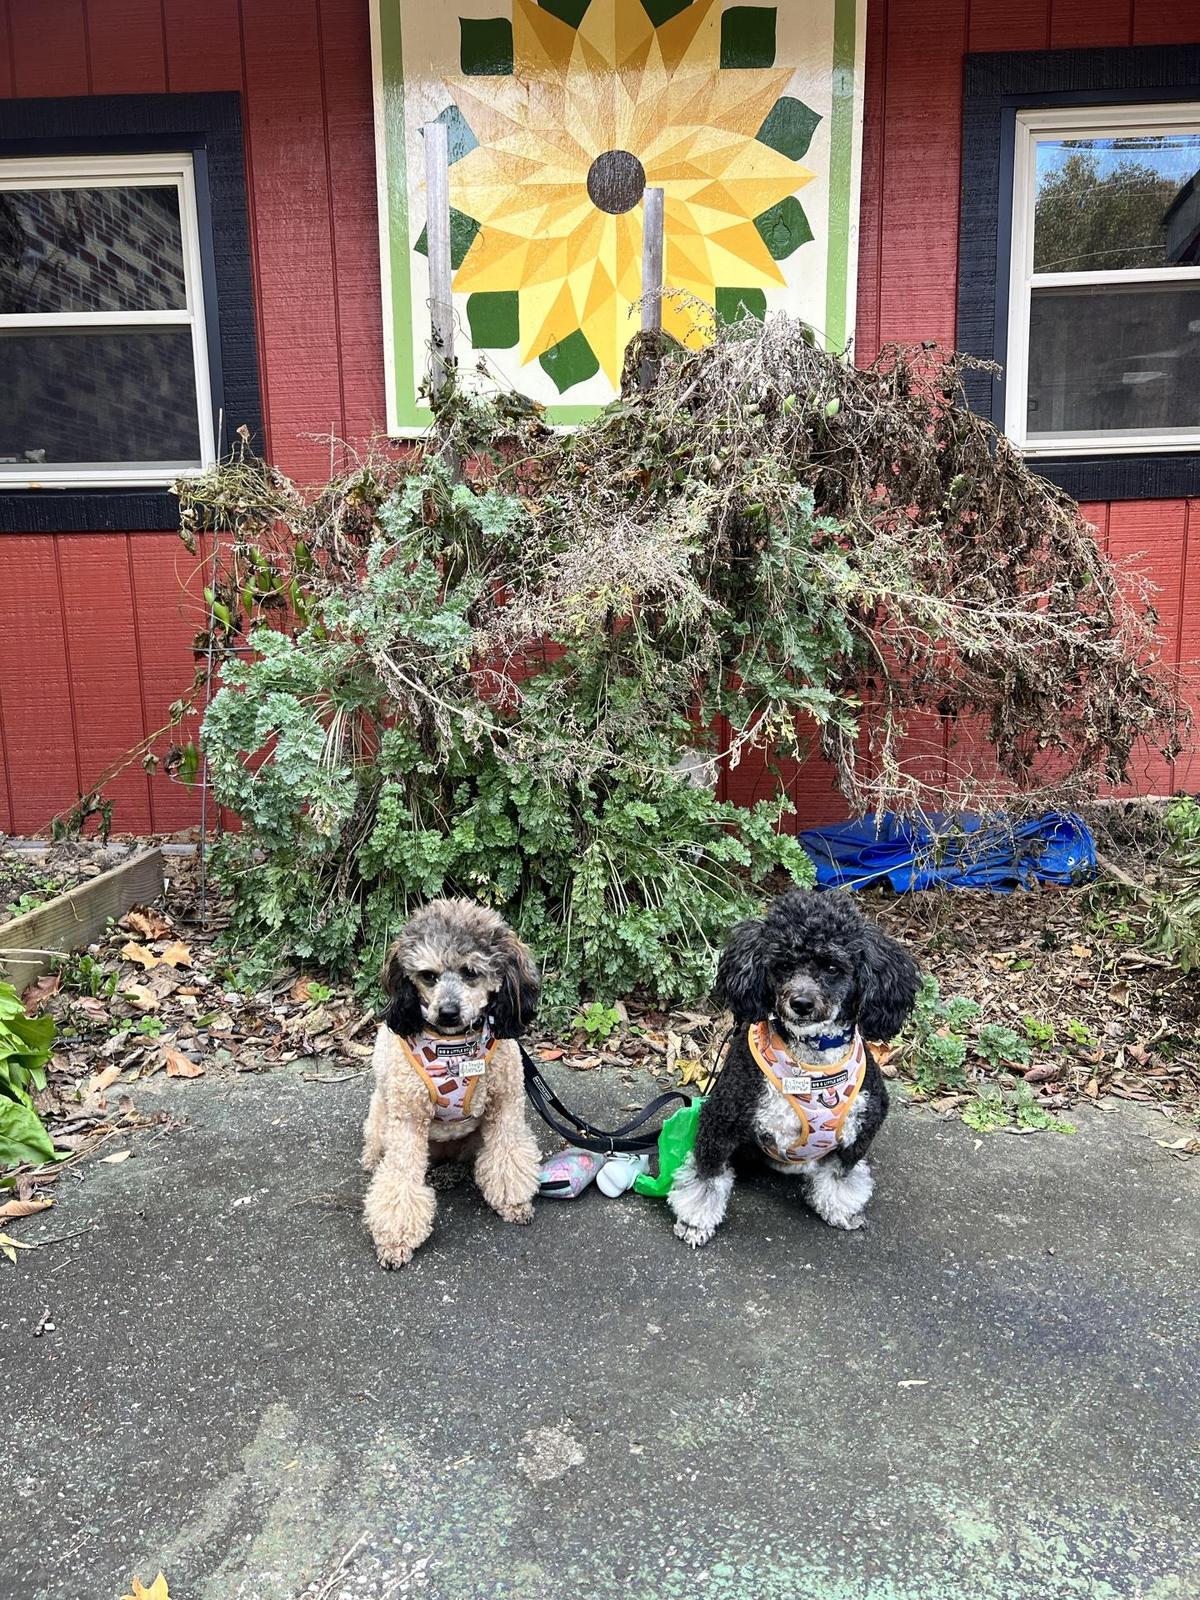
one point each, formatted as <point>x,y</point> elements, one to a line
<point>409,740</point>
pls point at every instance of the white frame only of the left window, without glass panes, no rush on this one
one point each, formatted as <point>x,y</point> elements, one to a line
<point>121,172</point>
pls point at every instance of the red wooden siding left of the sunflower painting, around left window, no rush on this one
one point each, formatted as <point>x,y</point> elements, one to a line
<point>95,630</point>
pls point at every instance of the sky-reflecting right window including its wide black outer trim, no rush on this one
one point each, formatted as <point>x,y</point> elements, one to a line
<point>1081,263</point>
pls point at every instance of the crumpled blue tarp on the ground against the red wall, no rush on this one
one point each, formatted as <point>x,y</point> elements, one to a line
<point>962,852</point>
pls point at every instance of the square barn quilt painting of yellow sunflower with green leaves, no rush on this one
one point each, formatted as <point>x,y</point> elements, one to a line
<point>559,116</point>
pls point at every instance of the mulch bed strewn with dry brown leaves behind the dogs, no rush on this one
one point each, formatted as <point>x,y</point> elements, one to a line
<point>156,998</point>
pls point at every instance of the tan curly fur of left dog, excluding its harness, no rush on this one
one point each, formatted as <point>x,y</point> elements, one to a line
<point>452,967</point>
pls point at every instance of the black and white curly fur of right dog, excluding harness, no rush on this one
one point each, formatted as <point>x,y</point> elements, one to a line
<point>810,966</point>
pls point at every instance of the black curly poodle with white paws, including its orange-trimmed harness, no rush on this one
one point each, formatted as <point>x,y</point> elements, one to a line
<point>807,985</point>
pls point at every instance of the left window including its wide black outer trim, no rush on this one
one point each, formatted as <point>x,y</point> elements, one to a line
<point>127,335</point>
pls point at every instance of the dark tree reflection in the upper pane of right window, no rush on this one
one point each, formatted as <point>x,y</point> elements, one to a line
<point>1087,223</point>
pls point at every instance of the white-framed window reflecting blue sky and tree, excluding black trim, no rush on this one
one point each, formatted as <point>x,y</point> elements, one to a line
<point>1105,289</point>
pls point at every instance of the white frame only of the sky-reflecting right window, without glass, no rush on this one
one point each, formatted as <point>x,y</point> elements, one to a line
<point>1073,124</point>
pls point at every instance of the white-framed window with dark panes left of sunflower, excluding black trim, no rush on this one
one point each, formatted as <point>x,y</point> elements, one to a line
<point>105,375</point>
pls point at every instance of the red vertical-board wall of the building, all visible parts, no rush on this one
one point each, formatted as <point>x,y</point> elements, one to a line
<point>95,630</point>
